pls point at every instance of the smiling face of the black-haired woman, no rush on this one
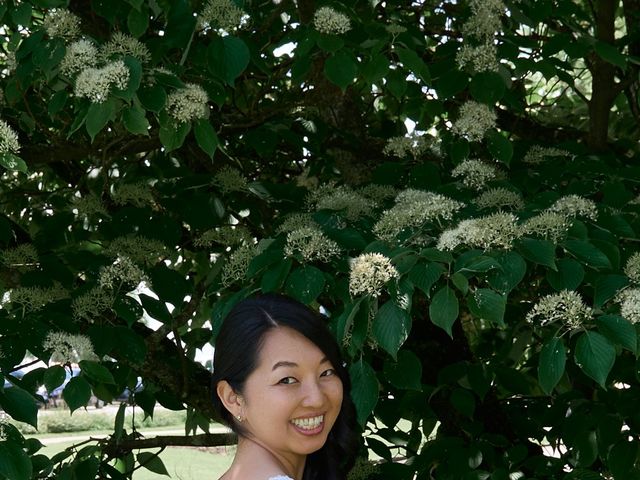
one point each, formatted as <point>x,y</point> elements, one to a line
<point>292,399</point>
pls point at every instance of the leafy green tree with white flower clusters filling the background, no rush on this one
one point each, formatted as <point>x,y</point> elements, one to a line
<point>455,183</point>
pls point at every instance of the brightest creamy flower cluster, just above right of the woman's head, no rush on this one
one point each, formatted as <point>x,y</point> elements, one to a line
<point>370,272</point>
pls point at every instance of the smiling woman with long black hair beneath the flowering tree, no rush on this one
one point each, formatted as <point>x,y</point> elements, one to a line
<point>281,385</point>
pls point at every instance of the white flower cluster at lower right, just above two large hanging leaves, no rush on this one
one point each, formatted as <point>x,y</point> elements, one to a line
<point>566,307</point>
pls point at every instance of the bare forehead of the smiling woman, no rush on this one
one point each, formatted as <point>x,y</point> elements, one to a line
<point>286,344</point>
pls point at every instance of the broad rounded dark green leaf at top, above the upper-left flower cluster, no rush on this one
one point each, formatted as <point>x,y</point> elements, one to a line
<point>228,57</point>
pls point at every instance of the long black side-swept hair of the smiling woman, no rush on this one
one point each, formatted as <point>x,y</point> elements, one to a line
<point>236,355</point>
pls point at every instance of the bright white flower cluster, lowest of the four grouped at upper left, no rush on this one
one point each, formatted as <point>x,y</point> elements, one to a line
<point>96,83</point>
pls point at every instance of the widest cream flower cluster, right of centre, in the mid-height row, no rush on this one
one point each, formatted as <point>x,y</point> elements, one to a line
<point>498,230</point>
